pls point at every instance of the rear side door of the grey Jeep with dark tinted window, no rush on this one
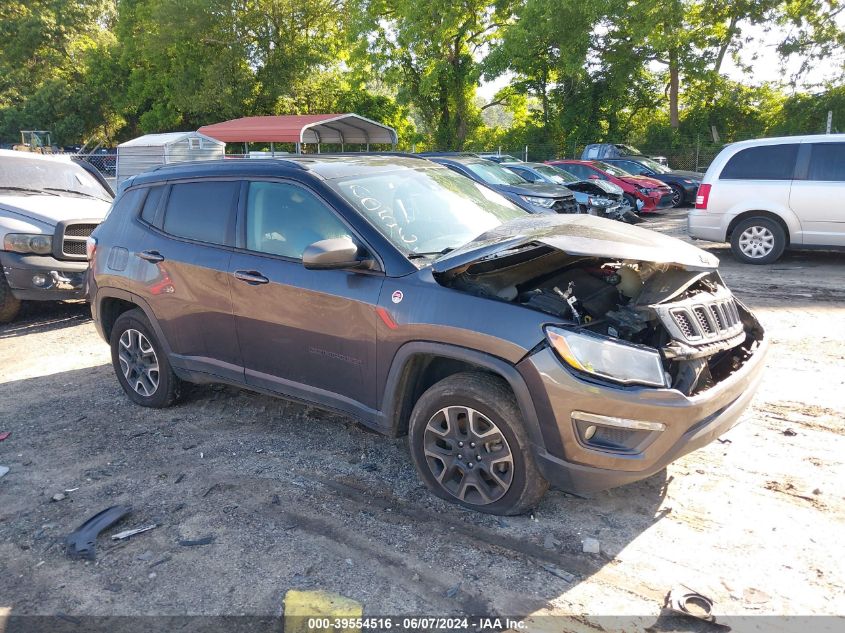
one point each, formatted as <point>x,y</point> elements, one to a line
<point>183,272</point>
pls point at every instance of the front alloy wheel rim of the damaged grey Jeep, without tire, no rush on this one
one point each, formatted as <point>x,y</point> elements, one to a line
<point>468,455</point>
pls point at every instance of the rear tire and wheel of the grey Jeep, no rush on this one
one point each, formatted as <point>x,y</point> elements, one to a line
<point>131,329</point>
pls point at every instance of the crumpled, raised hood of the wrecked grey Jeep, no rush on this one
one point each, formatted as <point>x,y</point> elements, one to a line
<point>584,235</point>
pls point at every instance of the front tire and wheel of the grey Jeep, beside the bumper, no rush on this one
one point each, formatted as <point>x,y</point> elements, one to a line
<point>508,482</point>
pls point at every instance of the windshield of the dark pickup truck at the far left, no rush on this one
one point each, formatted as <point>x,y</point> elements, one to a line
<point>48,176</point>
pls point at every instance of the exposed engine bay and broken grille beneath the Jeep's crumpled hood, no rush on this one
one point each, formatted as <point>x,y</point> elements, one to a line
<point>702,332</point>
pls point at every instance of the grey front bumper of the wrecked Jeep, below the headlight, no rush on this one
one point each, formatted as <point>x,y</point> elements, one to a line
<point>689,422</point>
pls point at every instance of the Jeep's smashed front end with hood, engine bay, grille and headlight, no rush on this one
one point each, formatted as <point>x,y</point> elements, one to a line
<point>618,286</point>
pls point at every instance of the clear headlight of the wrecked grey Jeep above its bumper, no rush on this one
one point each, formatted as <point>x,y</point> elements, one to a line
<point>608,358</point>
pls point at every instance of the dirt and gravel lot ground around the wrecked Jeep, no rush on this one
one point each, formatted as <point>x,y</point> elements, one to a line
<point>298,498</point>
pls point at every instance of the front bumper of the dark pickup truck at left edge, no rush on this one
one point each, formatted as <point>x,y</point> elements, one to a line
<point>63,279</point>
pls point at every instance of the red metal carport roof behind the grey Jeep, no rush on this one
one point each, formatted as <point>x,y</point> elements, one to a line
<point>301,128</point>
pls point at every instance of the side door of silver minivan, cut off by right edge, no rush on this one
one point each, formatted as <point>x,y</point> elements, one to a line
<point>818,193</point>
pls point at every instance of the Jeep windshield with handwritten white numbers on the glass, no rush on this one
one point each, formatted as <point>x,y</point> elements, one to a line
<point>426,211</point>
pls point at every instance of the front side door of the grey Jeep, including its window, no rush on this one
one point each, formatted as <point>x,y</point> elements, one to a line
<point>306,333</point>
